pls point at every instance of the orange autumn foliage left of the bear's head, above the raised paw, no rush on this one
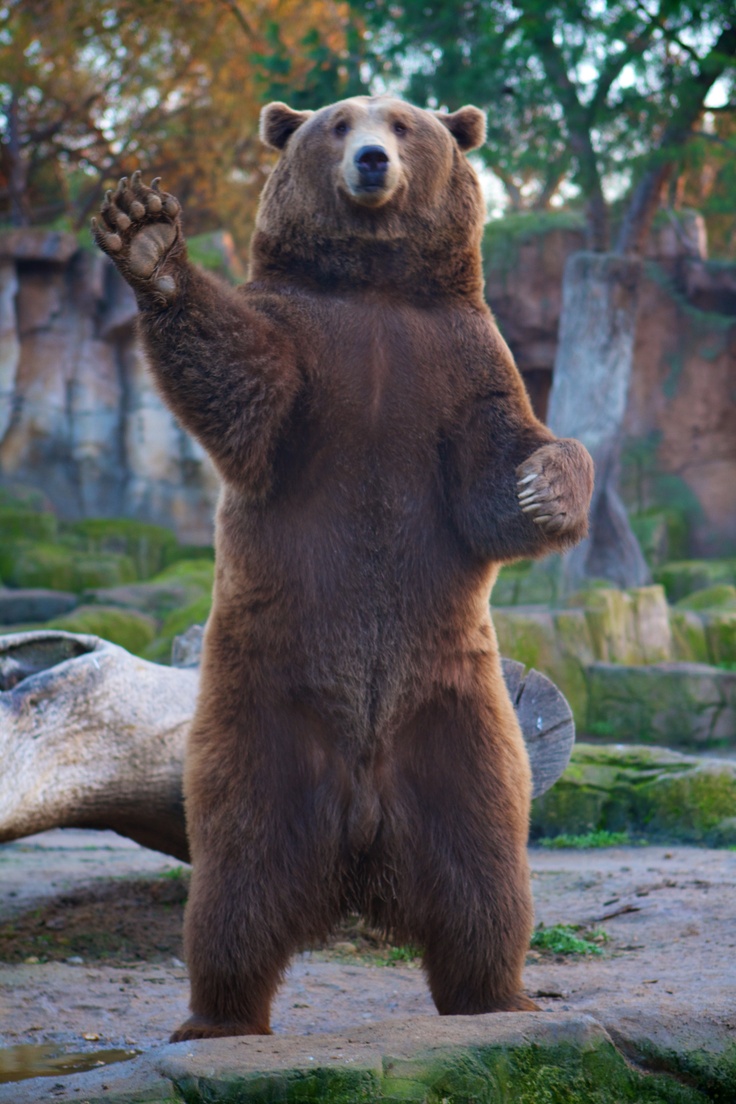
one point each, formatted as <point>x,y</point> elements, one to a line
<point>91,92</point>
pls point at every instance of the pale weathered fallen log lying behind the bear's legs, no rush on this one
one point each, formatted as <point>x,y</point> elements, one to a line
<point>92,737</point>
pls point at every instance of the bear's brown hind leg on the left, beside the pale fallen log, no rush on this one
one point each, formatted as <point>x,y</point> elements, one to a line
<point>264,832</point>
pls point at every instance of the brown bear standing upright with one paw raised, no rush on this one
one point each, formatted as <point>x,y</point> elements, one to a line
<point>354,748</point>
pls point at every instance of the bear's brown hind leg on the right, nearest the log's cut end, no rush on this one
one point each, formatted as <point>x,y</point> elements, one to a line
<point>462,818</point>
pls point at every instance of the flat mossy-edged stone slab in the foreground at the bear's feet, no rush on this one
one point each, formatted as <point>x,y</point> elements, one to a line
<point>456,1059</point>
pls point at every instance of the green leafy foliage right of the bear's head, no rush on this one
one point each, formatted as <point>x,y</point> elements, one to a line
<point>583,97</point>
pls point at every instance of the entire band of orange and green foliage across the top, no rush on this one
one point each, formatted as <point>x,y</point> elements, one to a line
<point>609,107</point>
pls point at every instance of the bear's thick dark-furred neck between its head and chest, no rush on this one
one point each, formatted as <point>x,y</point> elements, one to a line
<point>396,268</point>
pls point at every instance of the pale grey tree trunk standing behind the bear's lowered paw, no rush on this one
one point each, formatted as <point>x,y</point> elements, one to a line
<point>590,390</point>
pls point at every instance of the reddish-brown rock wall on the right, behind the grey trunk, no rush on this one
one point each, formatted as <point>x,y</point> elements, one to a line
<point>680,452</point>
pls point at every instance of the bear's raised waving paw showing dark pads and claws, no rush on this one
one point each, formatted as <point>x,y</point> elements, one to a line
<point>141,229</point>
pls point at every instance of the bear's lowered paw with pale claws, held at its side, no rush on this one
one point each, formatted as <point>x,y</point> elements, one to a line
<point>554,490</point>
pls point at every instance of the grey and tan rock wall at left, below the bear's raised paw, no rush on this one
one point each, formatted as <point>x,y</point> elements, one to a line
<point>80,417</point>
